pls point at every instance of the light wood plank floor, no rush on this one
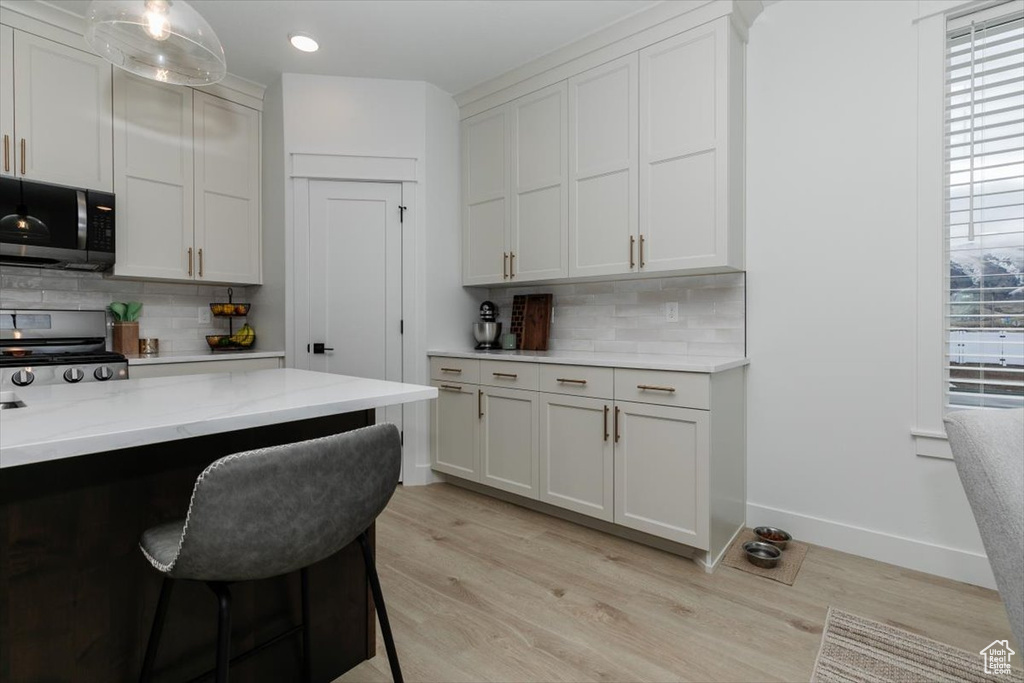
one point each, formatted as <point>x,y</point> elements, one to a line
<point>482,590</point>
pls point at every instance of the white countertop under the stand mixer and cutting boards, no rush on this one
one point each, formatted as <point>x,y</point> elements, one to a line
<point>687,364</point>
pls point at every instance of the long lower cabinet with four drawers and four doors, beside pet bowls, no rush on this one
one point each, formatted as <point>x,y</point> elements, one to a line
<point>657,452</point>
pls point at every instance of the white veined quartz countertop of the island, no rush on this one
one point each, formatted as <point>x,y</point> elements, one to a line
<point>68,420</point>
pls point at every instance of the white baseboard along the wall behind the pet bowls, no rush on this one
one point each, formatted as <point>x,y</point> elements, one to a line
<point>962,566</point>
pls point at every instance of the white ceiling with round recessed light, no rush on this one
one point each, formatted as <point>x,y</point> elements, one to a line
<point>454,45</point>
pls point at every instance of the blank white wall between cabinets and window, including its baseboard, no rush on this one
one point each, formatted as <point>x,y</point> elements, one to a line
<point>832,121</point>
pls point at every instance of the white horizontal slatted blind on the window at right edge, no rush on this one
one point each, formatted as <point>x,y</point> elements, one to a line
<point>985,212</point>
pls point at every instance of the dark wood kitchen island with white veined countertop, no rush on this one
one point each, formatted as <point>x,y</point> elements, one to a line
<point>88,468</point>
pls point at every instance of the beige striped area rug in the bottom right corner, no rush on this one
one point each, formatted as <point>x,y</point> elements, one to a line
<point>860,651</point>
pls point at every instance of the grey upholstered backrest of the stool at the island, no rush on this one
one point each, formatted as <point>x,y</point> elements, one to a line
<point>268,513</point>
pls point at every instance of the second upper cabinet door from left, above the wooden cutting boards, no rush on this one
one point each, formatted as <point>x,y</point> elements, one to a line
<point>539,231</point>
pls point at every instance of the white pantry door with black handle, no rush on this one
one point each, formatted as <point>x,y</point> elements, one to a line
<point>355,286</point>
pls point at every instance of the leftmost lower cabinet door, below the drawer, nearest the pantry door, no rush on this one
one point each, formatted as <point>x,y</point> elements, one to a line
<point>456,426</point>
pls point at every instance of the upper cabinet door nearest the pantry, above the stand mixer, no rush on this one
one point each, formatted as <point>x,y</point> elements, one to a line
<point>486,197</point>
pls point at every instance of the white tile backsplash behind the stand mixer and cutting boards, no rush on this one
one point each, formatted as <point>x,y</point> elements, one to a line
<point>628,316</point>
